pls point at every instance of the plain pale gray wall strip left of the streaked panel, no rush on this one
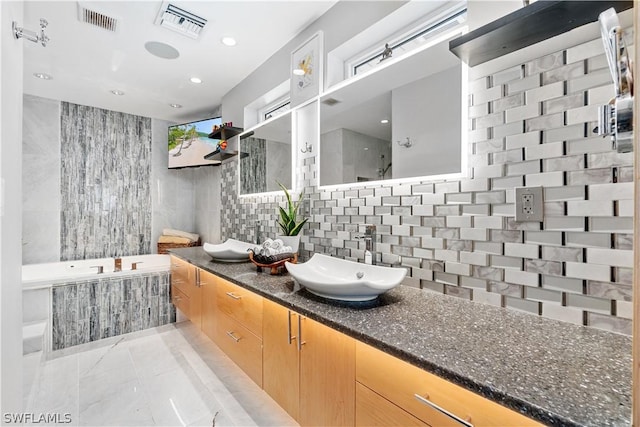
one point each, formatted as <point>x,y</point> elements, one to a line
<point>40,180</point>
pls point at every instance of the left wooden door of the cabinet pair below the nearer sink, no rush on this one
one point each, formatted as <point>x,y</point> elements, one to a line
<point>280,356</point>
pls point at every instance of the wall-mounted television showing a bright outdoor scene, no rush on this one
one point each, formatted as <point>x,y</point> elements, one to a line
<point>190,142</point>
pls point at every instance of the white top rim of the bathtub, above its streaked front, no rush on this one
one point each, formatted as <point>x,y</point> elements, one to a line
<point>47,274</point>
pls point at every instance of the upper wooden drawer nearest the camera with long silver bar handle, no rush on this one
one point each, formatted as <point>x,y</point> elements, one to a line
<point>400,382</point>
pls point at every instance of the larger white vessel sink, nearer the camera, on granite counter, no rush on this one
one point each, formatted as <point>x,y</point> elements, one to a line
<point>339,279</point>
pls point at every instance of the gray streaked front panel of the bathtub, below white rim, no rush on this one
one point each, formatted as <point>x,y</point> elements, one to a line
<point>95,309</point>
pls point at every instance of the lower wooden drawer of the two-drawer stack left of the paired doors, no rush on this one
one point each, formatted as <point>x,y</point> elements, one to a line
<point>243,347</point>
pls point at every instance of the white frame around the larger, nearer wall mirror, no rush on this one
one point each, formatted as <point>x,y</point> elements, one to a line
<point>464,171</point>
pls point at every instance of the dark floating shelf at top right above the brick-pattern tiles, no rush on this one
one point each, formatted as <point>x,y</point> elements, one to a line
<point>526,26</point>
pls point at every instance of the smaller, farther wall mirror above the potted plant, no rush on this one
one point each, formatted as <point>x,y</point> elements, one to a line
<point>265,156</point>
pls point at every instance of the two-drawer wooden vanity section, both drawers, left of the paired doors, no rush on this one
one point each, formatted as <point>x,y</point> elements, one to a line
<point>239,327</point>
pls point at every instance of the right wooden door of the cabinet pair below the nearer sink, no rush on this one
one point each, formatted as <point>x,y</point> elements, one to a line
<point>327,376</point>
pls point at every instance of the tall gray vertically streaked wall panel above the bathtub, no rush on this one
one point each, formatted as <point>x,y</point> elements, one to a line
<point>105,183</point>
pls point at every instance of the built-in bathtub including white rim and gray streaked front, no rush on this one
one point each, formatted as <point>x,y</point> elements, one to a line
<point>74,304</point>
